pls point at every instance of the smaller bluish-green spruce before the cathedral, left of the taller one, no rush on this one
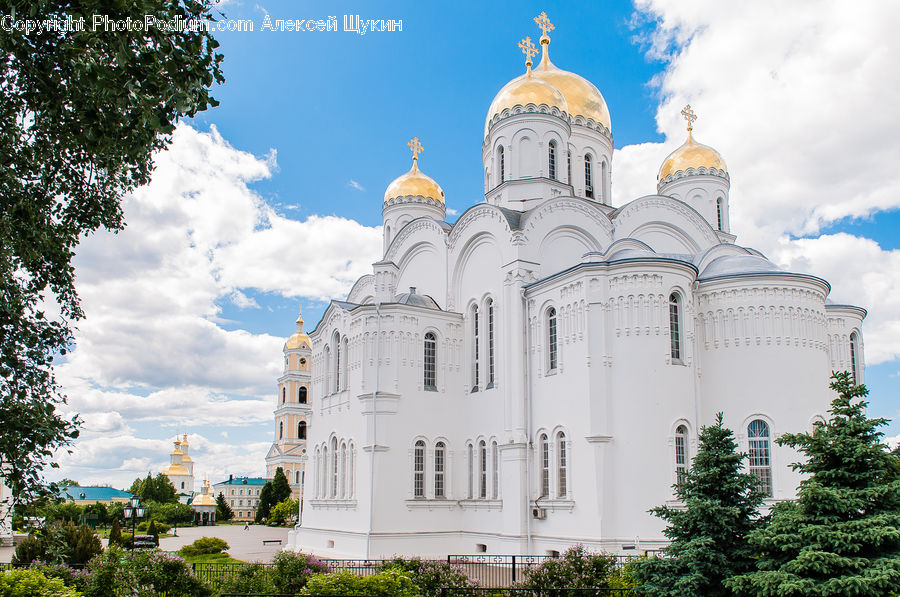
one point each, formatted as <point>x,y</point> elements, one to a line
<point>707,535</point>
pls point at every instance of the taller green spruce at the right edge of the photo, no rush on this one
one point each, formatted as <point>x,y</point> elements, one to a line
<point>840,537</point>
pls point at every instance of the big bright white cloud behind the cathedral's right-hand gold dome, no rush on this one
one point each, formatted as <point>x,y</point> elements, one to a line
<point>799,99</point>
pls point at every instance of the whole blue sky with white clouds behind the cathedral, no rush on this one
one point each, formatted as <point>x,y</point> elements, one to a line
<point>272,199</point>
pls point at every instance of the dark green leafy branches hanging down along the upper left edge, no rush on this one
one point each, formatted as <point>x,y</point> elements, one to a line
<point>81,114</point>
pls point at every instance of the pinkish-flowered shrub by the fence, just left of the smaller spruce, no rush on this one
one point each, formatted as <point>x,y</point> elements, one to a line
<point>576,569</point>
